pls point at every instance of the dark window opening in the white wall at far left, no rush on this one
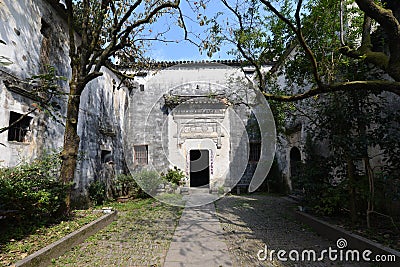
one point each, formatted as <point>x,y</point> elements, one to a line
<point>20,128</point>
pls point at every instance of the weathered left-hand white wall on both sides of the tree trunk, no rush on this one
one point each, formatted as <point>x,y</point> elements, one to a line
<point>33,36</point>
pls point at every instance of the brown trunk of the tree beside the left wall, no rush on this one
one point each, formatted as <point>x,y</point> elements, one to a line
<point>71,140</point>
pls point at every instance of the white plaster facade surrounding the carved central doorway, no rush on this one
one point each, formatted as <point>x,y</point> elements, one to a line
<point>149,126</point>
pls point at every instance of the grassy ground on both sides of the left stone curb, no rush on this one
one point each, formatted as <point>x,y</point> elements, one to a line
<point>148,223</point>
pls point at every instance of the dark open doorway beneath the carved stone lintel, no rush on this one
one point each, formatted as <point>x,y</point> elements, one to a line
<point>199,168</point>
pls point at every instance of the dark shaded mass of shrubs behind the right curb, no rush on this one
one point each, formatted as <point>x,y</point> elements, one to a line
<point>351,124</point>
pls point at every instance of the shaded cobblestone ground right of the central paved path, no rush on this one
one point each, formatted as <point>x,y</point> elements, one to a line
<point>253,221</point>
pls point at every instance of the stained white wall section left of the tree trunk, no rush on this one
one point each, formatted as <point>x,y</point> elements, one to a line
<point>21,44</point>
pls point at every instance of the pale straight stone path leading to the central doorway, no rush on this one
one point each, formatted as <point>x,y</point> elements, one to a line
<point>198,239</point>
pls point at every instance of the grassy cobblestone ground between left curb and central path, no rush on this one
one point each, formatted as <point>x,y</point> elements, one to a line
<point>140,237</point>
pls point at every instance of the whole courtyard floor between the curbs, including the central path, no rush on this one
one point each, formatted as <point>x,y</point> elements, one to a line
<point>147,231</point>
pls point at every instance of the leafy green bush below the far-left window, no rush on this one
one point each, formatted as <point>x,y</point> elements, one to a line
<point>33,189</point>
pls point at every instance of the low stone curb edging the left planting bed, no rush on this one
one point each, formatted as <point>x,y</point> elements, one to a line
<point>44,256</point>
